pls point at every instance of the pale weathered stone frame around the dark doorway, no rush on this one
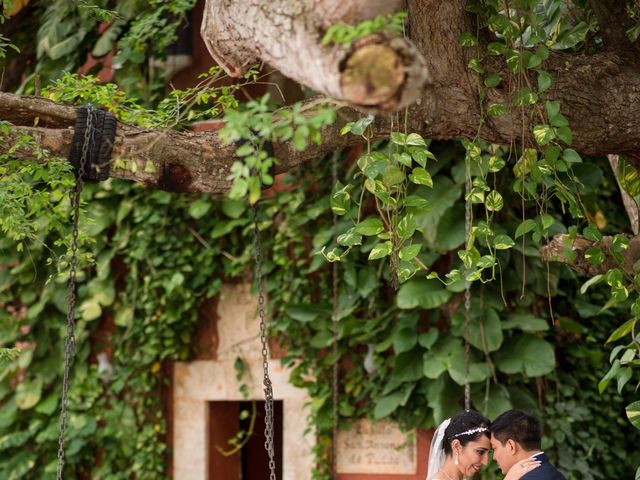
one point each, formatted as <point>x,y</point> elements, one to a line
<point>200,383</point>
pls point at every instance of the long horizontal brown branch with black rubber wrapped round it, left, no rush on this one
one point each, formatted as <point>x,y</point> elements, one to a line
<point>164,159</point>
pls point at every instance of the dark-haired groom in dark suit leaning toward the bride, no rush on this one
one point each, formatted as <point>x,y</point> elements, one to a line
<point>515,435</point>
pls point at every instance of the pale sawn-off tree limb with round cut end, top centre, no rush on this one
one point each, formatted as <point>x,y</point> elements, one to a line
<point>379,72</point>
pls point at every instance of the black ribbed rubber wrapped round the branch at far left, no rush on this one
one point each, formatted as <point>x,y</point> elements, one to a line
<point>102,137</point>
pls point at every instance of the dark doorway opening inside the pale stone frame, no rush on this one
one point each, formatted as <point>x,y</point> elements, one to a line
<point>252,461</point>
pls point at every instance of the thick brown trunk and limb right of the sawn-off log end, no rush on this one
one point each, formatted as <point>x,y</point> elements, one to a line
<point>599,94</point>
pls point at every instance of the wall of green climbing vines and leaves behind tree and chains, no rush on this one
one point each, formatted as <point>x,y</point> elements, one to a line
<point>150,258</point>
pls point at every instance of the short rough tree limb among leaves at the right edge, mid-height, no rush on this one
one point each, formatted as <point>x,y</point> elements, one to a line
<point>561,249</point>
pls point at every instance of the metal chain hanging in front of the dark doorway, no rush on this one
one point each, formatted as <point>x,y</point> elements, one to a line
<point>268,390</point>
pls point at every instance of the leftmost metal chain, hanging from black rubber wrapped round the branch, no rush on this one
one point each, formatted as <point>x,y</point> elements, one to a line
<point>70,340</point>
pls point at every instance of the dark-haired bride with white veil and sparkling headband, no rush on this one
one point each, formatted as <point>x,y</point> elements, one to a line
<point>460,447</point>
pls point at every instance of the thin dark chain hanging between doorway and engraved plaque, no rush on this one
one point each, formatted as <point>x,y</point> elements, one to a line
<point>335,376</point>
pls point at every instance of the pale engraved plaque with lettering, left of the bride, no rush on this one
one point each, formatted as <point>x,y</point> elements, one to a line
<point>376,448</point>
